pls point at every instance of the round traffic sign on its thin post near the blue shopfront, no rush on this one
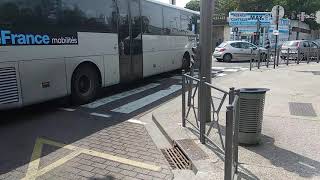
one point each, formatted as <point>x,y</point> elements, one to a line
<point>277,13</point>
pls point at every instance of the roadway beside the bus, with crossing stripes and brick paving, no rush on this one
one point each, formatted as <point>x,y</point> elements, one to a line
<point>111,118</point>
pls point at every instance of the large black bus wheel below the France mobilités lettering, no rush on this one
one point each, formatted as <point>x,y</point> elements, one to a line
<point>85,84</point>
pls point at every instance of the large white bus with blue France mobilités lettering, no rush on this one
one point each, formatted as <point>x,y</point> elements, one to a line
<point>55,48</point>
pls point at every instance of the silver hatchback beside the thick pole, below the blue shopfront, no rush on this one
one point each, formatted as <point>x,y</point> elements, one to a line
<point>237,50</point>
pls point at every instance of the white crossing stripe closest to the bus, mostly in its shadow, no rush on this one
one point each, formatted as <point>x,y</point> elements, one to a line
<point>116,97</point>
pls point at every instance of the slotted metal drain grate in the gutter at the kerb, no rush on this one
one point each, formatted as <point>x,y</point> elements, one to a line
<point>176,158</point>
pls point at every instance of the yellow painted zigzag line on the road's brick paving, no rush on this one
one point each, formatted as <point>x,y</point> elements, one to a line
<point>33,170</point>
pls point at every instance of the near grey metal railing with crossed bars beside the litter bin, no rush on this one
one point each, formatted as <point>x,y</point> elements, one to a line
<point>190,106</point>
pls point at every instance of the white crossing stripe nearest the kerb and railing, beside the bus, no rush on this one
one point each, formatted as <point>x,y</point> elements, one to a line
<point>135,105</point>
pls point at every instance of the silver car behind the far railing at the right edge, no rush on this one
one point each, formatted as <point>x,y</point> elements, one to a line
<point>305,47</point>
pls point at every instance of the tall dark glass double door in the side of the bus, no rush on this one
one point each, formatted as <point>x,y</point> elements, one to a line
<point>130,40</point>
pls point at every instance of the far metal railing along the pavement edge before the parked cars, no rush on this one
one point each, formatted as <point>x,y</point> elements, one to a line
<point>286,56</point>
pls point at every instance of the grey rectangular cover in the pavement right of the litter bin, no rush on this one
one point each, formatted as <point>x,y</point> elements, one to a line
<point>302,109</point>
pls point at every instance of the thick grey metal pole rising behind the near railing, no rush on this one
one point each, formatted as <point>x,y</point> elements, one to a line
<point>205,57</point>
